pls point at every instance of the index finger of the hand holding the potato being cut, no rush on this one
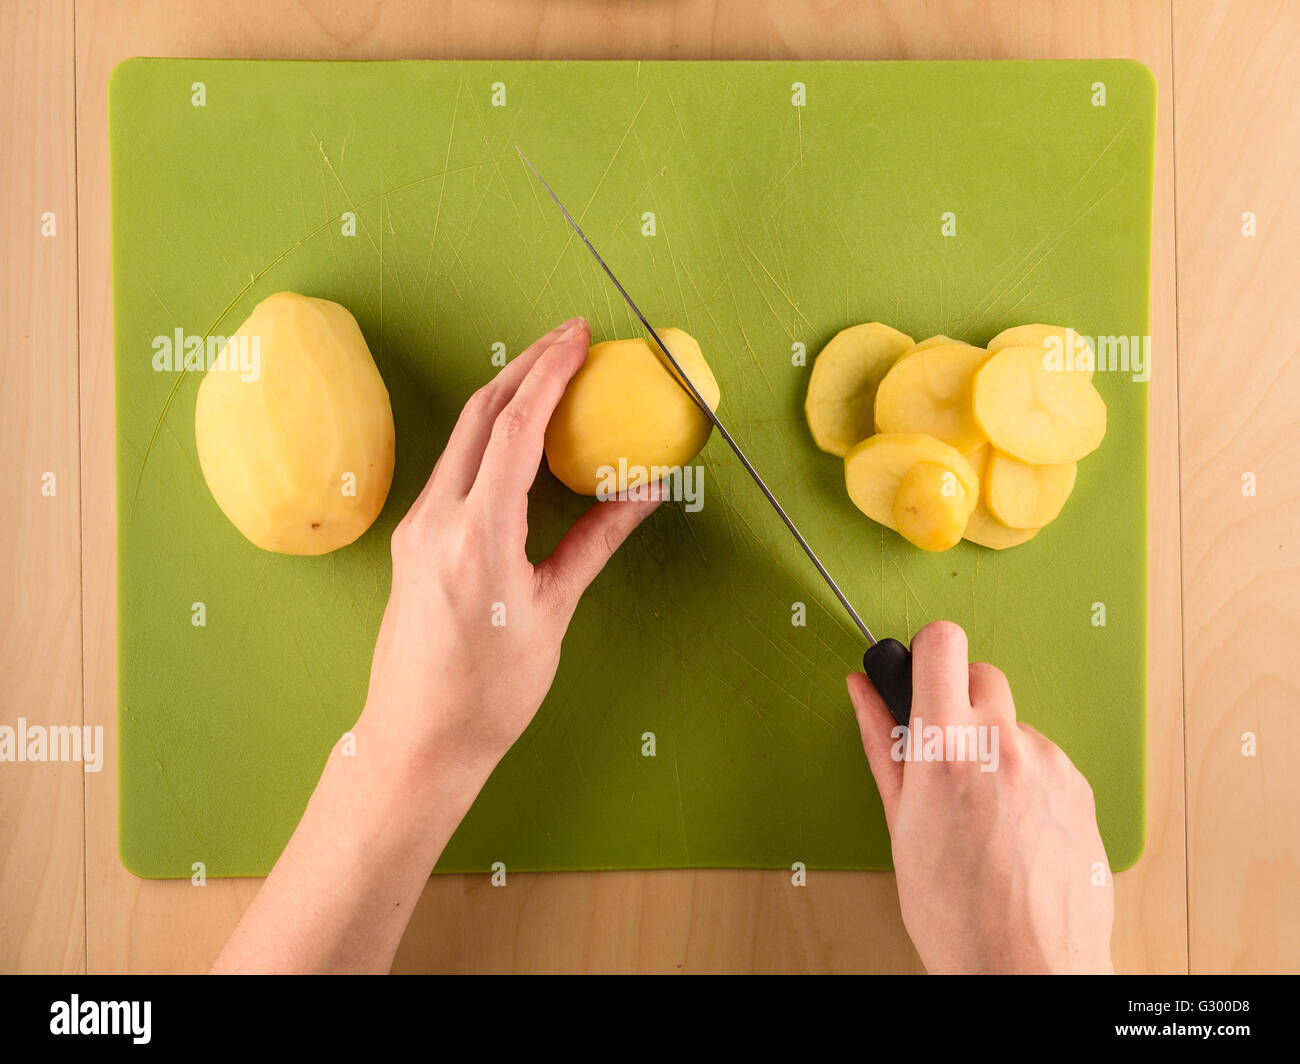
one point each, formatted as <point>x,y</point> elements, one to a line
<point>518,435</point>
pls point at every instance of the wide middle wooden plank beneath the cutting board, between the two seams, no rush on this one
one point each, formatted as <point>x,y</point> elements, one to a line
<point>665,922</point>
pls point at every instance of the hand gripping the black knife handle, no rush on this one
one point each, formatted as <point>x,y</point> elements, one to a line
<point>998,871</point>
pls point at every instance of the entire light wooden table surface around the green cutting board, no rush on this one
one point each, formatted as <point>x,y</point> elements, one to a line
<point>1219,889</point>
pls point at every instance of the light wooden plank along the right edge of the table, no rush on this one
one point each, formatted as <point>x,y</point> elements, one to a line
<point>1240,330</point>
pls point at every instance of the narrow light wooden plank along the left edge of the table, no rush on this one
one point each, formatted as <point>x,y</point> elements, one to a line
<point>42,901</point>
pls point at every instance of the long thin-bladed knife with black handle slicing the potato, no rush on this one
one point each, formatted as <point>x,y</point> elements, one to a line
<point>887,663</point>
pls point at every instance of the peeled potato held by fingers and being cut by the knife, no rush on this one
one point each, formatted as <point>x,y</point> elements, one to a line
<point>626,419</point>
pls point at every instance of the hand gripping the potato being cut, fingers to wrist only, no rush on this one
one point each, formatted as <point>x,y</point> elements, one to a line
<point>471,638</point>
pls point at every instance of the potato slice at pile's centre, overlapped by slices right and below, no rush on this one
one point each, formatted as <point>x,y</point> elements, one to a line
<point>930,392</point>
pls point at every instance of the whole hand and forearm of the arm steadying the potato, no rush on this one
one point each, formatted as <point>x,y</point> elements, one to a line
<point>469,647</point>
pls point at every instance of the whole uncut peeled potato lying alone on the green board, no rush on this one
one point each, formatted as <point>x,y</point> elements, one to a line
<point>297,444</point>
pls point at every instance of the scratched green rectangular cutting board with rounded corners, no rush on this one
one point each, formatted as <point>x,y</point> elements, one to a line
<point>774,226</point>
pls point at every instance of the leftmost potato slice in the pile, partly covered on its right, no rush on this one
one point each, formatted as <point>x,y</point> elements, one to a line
<point>842,397</point>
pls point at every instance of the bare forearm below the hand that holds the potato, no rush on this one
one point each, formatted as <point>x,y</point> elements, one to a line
<point>346,885</point>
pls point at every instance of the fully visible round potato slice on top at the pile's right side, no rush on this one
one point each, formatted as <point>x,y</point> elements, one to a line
<point>1035,414</point>
